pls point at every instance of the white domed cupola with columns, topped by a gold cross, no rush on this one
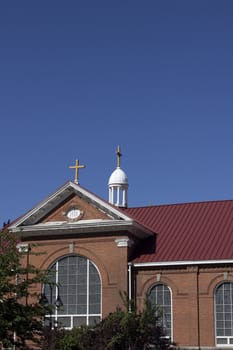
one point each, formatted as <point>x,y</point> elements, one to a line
<point>118,184</point>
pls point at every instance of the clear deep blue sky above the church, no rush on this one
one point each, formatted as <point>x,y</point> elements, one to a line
<point>77,78</point>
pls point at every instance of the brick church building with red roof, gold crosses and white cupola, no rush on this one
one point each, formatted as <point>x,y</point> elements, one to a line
<point>180,256</point>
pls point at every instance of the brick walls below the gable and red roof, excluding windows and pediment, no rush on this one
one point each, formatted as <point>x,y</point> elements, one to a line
<point>192,287</point>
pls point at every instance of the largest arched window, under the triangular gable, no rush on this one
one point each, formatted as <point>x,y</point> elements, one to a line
<point>75,281</point>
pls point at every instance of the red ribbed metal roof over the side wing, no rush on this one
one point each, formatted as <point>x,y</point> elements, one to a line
<point>186,232</point>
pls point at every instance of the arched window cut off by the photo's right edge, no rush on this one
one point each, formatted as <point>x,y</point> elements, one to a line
<point>224,314</point>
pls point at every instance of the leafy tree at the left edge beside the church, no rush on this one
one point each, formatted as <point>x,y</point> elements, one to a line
<point>20,311</point>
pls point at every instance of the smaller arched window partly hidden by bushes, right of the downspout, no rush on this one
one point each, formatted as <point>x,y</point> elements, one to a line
<point>160,295</point>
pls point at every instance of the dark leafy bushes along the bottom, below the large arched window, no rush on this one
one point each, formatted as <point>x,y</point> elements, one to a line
<point>121,330</point>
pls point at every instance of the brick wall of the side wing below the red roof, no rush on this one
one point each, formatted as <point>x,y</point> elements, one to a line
<point>192,290</point>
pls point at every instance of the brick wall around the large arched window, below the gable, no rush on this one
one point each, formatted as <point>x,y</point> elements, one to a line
<point>110,260</point>
